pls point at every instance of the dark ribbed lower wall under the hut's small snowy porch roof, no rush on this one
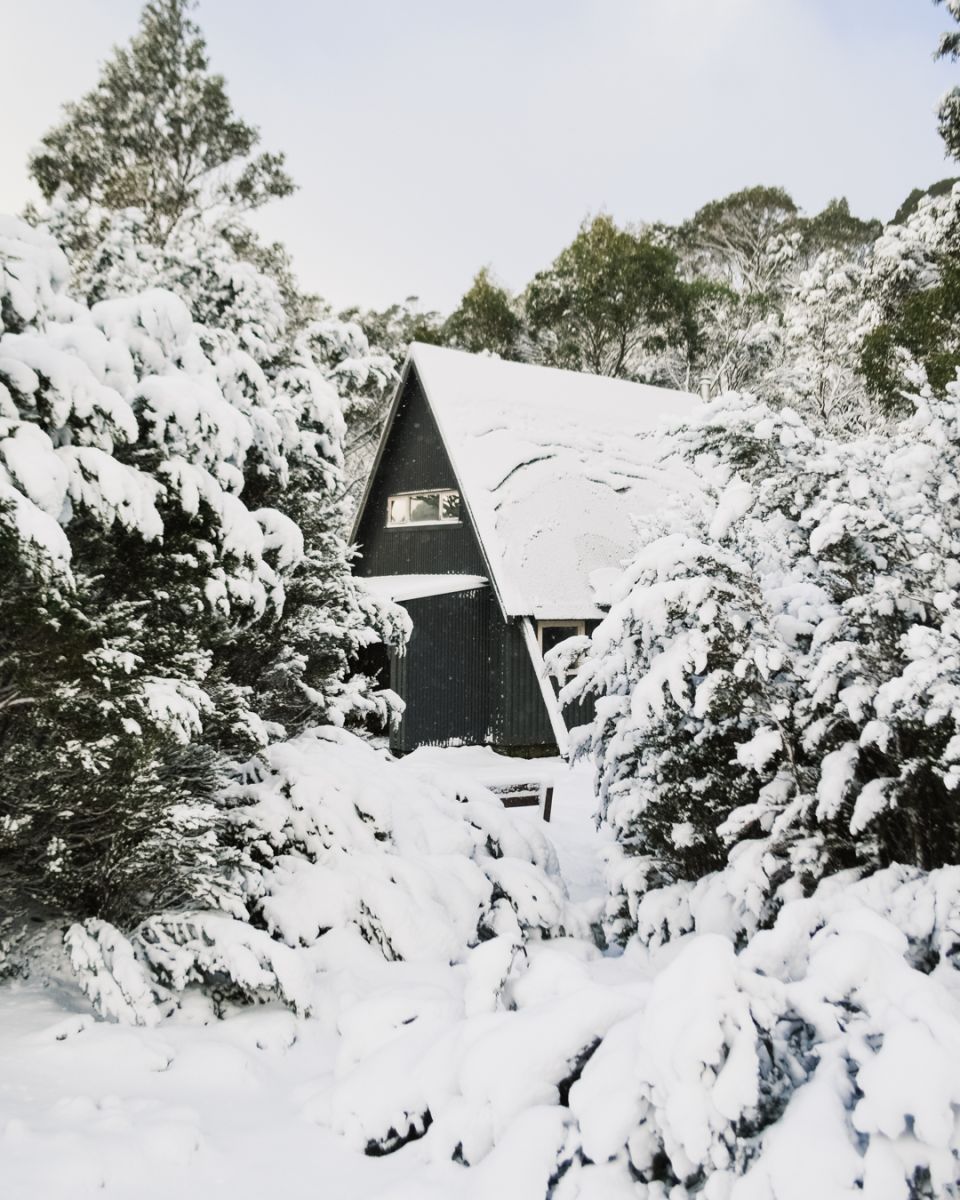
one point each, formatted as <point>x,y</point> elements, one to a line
<point>446,675</point>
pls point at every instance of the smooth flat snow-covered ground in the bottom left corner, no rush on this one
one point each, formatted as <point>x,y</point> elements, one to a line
<point>193,1111</point>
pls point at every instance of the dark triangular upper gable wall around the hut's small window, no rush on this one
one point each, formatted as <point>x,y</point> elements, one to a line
<point>413,459</point>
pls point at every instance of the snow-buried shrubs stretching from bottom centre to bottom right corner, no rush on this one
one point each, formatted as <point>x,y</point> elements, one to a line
<point>819,1060</point>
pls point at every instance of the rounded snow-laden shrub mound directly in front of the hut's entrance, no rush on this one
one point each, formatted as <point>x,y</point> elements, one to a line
<point>349,838</point>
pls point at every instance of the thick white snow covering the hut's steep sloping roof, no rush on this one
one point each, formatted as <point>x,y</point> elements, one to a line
<point>554,466</point>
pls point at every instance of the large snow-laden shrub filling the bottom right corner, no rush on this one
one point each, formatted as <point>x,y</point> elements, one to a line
<point>818,1063</point>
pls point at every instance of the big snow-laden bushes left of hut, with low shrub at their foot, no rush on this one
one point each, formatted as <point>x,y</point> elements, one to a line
<point>131,458</point>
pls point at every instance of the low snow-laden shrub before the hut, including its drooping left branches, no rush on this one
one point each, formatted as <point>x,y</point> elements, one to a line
<point>337,836</point>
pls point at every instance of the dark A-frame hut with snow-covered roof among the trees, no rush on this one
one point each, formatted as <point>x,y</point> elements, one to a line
<point>501,496</point>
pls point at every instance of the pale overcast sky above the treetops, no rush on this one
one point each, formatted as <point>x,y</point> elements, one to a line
<point>433,137</point>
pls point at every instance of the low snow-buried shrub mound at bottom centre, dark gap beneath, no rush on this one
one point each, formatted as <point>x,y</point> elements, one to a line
<point>464,1078</point>
